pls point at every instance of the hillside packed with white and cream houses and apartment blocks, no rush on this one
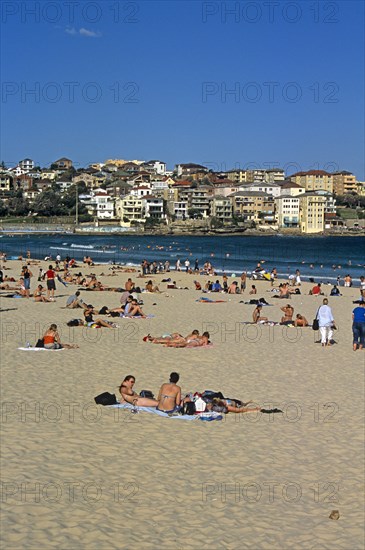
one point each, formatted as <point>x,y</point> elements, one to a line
<point>145,195</point>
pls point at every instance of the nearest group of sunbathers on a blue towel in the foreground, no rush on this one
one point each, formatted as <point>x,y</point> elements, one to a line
<point>170,400</point>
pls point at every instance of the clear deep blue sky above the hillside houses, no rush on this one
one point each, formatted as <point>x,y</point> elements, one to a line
<point>149,80</point>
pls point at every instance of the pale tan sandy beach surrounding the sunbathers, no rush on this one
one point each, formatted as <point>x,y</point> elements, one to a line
<point>78,475</point>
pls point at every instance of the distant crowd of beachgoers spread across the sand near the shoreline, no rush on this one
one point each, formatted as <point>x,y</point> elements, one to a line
<point>130,303</point>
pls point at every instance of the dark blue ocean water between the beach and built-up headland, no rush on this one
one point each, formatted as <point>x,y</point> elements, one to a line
<point>323,258</point>
